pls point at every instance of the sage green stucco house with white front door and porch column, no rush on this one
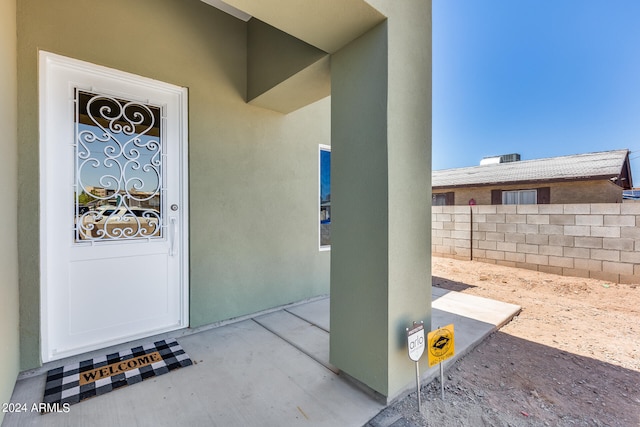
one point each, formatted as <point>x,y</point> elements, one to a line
<point>222,110</point>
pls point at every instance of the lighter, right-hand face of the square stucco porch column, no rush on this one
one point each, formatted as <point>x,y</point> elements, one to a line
<point>409,128</point>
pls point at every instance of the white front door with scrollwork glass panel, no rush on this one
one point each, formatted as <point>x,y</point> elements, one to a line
<point>113,199</point>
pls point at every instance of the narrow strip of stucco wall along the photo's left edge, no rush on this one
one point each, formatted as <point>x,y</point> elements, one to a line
<point>9,351</point>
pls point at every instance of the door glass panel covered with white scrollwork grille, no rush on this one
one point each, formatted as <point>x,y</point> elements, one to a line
<point>118,169</point>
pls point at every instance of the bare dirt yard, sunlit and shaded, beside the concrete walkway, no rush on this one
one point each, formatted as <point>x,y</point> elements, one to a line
<point>570,358</point>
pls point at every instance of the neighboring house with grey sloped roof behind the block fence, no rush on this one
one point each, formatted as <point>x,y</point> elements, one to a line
<point>582,178</point>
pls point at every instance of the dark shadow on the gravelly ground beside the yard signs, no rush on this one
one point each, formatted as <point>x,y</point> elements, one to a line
<point>507,380</point>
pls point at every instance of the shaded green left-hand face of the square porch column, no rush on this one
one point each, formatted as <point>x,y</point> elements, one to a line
<point>359,210</point>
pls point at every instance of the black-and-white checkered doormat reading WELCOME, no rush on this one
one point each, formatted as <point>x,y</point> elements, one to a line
<point>64,384</point>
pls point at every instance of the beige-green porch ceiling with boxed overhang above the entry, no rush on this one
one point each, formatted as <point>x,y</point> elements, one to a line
<point>283,75</point>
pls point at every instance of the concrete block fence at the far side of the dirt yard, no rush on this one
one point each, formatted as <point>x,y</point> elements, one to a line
<point>599,240</point>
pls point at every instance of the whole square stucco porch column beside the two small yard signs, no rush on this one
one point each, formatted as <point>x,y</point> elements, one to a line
<point>381,186</point>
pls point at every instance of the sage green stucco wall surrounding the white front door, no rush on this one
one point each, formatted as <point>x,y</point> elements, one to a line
<point>253,173</point>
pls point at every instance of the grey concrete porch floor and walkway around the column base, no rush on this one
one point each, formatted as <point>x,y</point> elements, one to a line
<point>269,370</point>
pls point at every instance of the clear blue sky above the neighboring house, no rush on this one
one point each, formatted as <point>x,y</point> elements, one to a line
<point>541,78</point>
